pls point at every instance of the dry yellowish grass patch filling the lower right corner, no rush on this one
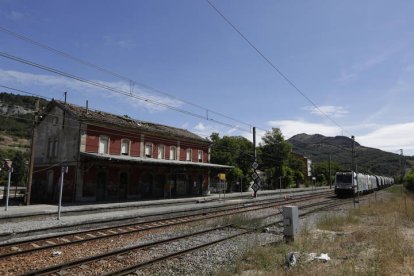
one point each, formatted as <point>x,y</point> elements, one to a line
<point>375,239</point>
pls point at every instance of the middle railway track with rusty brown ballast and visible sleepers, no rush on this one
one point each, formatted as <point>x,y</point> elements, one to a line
<point>104,235</point>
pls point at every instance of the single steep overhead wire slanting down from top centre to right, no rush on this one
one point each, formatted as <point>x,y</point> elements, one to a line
<point>274,66</point>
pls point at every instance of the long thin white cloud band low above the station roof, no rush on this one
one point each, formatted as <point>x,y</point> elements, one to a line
<point>42,82</point>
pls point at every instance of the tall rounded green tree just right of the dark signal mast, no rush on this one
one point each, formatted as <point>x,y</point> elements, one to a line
<point>273,154</point>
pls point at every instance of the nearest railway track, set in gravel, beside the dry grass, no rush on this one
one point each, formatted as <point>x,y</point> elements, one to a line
<point>129,260</point>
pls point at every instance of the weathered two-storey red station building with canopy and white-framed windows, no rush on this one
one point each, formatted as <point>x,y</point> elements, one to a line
<point>116,158</point>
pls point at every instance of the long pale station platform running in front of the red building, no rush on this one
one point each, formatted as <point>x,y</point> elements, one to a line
<point>19,220</point>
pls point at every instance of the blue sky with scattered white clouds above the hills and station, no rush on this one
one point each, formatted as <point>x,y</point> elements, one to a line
<point>353,59</point>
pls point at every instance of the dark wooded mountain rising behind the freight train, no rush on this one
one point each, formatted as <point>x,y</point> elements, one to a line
<point>368,160</point>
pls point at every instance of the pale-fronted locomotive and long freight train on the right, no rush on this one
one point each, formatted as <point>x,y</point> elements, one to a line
<point>352,183</point>
